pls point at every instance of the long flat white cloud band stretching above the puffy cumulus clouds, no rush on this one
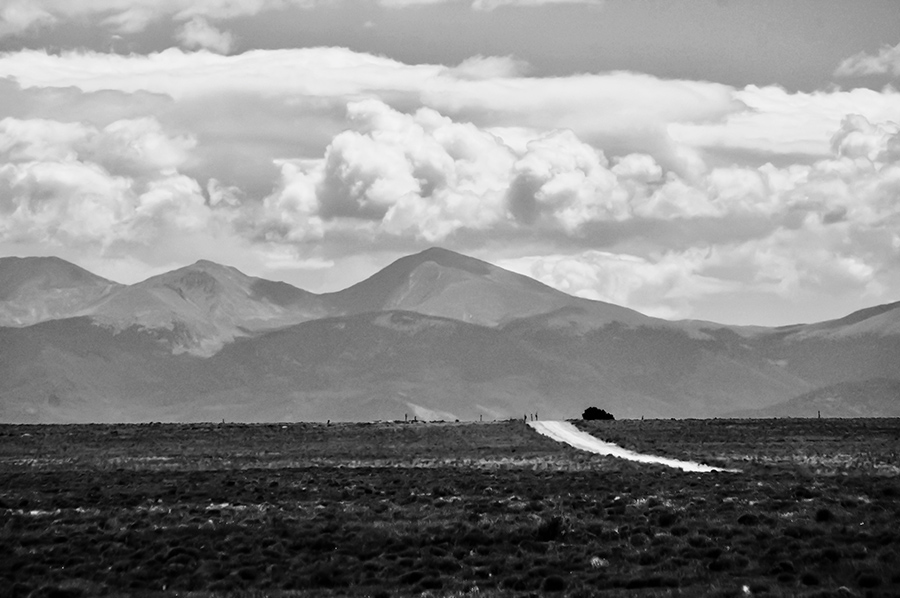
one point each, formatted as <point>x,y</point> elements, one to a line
<point>620,112</point>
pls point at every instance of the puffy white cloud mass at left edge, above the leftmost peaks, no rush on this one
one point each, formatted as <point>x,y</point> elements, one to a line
<point>74,183</point>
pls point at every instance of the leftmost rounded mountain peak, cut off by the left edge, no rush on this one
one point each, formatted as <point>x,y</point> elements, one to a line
<point>36,289</point>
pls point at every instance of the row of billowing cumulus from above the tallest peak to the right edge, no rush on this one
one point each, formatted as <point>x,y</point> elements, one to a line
<point>427,176</point>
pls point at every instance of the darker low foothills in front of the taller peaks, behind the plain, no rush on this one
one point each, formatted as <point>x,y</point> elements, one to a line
<point>376,365</point>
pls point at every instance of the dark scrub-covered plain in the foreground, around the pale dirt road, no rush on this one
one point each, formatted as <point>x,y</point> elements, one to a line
<point>449,509</point>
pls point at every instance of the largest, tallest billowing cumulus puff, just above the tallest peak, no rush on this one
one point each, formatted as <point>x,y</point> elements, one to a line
<point>419,174</point>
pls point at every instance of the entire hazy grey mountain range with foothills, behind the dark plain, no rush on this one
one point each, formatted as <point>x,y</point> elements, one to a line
<point>435,335</point>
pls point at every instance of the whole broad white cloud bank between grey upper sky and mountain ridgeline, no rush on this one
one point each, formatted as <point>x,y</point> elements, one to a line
<point>655,194</point>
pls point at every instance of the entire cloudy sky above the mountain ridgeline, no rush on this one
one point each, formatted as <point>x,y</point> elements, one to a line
<point>727,160</point>
